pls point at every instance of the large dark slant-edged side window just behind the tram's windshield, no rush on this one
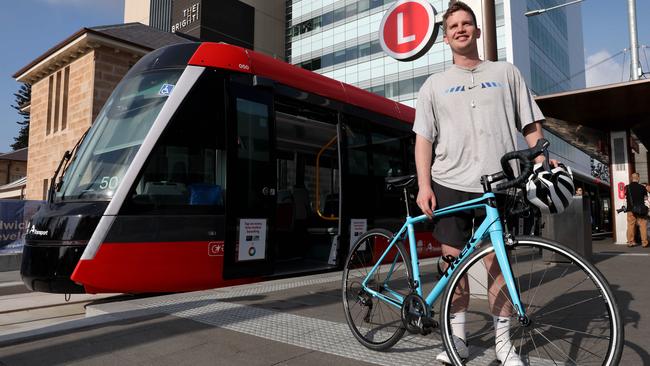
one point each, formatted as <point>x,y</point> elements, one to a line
<point>185,172</point>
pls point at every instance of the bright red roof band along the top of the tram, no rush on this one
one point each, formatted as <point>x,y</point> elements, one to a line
<point>226,56</point>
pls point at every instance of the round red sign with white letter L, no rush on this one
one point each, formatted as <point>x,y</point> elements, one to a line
<point>408,29</point>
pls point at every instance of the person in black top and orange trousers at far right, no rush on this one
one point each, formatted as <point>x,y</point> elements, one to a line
<point>637,211</point>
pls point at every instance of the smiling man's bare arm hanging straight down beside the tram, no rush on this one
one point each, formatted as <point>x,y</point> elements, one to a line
<point>426,200</point>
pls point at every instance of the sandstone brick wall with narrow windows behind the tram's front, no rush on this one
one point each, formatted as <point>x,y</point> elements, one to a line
<point>91,80</point>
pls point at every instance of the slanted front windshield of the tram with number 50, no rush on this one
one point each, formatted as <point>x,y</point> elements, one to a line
<point>117,134</point>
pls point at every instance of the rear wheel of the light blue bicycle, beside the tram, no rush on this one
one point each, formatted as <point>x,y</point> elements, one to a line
<point>376,322</point>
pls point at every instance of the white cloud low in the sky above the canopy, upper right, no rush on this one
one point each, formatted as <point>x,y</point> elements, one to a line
<point>603,69</point>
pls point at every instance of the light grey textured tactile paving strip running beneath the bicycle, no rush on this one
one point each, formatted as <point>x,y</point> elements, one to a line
<point>209,307</point>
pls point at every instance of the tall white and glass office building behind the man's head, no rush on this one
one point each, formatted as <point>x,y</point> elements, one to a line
<point>339,39</point>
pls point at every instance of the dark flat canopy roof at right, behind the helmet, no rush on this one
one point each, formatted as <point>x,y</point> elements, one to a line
<point>584,117</point>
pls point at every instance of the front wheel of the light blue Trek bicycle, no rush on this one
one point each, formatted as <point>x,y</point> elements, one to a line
<point>571,313</point>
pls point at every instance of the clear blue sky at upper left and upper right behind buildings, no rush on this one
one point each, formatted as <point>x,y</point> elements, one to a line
<point>30,27</point>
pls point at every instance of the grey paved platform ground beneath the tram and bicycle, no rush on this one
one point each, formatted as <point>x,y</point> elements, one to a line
<point>296,321</point>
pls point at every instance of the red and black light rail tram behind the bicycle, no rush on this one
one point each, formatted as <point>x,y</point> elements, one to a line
<point>213,165</point>
